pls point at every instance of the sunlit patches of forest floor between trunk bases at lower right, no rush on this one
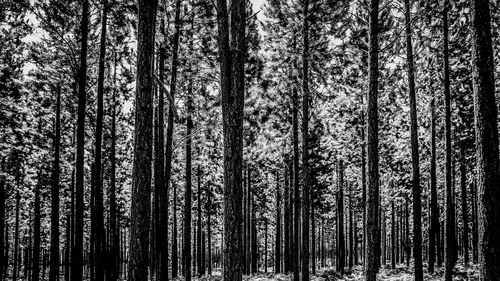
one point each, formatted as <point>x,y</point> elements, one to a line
<point>401,273</point>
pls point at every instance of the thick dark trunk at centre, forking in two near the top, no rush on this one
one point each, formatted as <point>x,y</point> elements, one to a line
<point>231,41</point>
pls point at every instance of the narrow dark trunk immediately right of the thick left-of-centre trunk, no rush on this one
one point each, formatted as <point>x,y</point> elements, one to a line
<point>161,186</point>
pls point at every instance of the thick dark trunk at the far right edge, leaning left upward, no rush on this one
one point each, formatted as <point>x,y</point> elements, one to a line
<point>485,116</point>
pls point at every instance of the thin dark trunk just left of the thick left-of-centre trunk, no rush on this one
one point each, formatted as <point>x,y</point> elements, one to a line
<point>114,242</point>
